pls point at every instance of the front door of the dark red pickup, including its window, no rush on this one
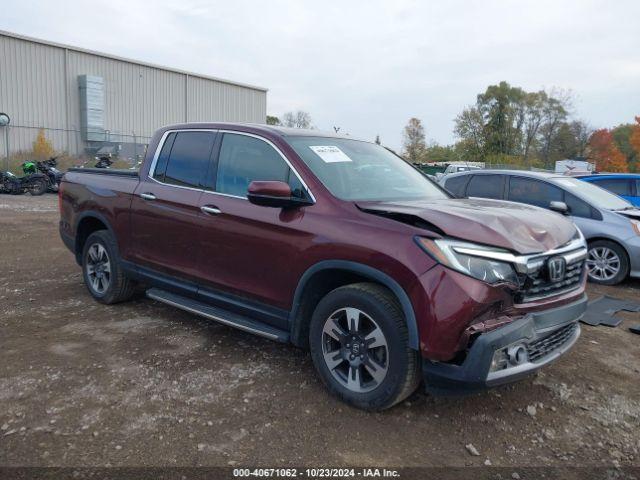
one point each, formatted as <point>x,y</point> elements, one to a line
<point>246,248</point>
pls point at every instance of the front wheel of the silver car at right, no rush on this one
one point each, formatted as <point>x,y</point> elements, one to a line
<point>607,262</point>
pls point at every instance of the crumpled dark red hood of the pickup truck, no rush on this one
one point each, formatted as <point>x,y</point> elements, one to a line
<point>514,226</point>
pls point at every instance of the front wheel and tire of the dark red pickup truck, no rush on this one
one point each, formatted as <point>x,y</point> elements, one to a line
<point>360,347</point>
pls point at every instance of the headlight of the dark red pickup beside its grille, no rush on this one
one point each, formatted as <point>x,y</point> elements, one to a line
<point>448,253</point>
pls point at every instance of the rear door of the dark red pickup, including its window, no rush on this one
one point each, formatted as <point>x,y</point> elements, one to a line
<point>165,213</point>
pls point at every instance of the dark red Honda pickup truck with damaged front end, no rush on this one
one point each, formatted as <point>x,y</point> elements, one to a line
<point>336,245</point>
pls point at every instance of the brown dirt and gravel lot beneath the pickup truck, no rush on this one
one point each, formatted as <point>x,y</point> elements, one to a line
<point>145,384</point>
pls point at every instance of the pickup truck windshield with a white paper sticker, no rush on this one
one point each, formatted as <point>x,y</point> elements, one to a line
<point>358,171</point>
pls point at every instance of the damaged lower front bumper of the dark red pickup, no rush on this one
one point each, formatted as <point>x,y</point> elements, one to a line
<point>508,353</point>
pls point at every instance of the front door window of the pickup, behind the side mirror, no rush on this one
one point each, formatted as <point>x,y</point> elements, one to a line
<point>244,159</point>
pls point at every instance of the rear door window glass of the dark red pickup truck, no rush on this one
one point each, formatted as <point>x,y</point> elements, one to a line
<point>188,160</point>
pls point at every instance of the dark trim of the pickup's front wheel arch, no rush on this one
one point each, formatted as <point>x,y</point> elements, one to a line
<point>328,275</point>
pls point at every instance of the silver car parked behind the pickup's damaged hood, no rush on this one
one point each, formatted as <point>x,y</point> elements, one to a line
<point>610,224</point>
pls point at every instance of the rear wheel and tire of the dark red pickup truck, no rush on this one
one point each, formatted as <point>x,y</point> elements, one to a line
<point>102,272</point>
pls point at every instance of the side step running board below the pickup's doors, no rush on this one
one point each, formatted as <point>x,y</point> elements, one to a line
<point>218,314</point>
